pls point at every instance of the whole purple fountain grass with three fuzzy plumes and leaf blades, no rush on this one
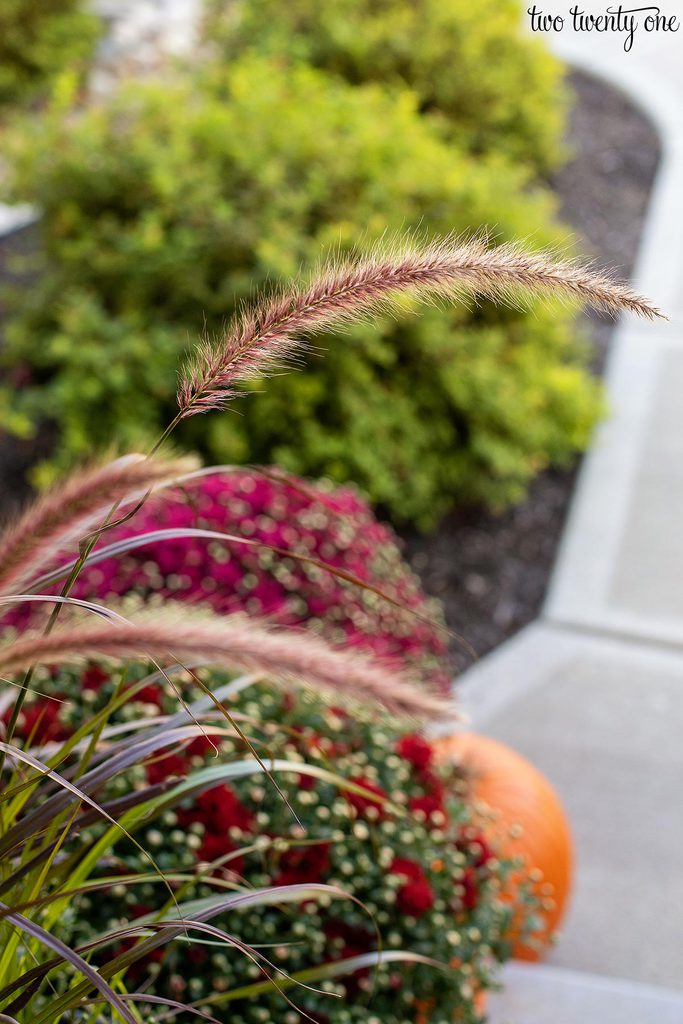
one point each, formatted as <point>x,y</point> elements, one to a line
<point>271,333</point>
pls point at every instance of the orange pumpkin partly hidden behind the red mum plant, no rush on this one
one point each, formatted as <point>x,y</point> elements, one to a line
<point>520,796</point>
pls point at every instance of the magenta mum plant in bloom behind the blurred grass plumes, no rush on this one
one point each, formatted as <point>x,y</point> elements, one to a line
<point>334,527</point>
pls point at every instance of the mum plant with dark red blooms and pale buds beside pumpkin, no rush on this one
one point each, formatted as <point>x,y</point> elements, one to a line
<point>378,820</point>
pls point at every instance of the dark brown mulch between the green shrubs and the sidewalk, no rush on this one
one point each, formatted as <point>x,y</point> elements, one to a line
<point>492,572</point>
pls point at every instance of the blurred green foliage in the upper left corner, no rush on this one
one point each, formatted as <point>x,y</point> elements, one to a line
<point>39,39</point>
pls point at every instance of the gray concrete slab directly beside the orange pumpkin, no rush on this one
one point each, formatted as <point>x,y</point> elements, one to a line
<point>604,720</point>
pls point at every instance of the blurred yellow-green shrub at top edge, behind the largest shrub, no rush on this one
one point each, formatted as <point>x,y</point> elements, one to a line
<point>500,91</point>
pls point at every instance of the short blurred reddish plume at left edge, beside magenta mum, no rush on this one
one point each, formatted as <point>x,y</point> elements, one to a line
<point>80,504</point>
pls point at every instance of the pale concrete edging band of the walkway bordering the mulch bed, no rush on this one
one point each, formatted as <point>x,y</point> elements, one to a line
<point>579,592</point>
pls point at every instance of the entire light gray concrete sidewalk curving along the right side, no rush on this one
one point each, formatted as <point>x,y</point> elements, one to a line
<point>593,693</point>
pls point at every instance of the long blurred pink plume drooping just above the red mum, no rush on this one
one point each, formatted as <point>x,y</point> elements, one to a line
<point>236,643</point>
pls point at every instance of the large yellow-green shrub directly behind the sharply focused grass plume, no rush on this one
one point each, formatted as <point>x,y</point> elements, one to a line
<point>182,197</point>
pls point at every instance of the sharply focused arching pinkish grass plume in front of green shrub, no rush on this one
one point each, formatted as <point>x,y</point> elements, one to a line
<point>272,332</point>
